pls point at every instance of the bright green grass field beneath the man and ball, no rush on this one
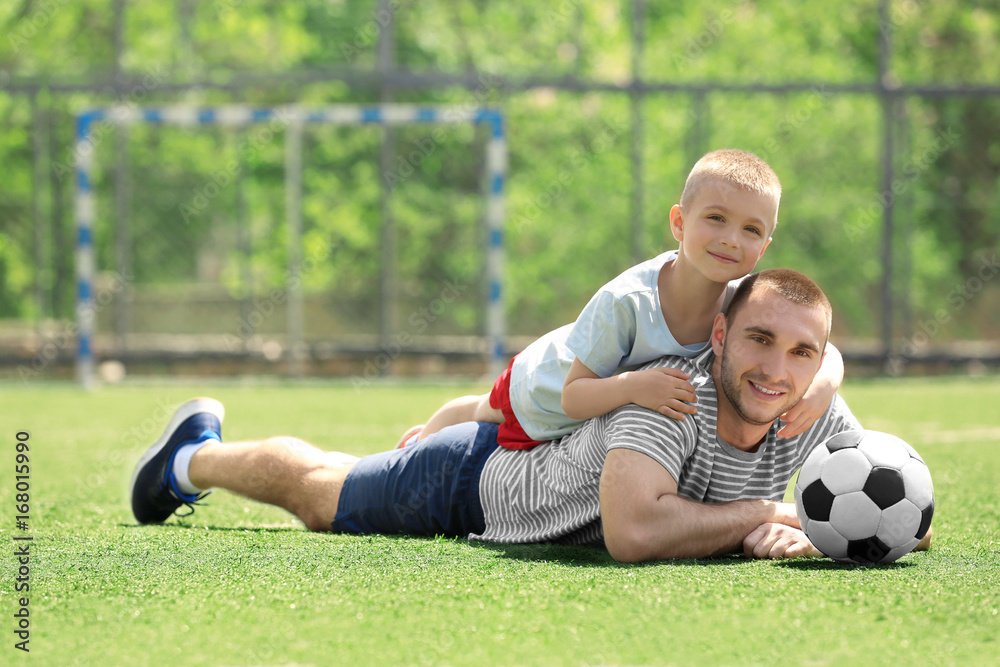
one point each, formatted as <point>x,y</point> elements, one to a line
<point>243,584</point>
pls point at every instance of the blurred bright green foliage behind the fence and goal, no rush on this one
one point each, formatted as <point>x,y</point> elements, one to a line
<point>207,205</point>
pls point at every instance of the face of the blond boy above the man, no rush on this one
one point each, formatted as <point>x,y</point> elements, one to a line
<point>724,229</point>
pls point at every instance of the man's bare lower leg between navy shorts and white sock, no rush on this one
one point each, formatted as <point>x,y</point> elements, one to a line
<point>282,471</point>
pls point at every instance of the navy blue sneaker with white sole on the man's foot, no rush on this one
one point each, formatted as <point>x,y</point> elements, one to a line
<point>154,491</point>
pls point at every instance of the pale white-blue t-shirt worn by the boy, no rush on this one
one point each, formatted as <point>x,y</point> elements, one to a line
<point>621,328</point>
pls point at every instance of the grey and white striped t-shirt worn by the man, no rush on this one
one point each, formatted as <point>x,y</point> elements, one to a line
<point>551,493</point>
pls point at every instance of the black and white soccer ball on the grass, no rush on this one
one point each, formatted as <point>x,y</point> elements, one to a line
<point>864,497</point>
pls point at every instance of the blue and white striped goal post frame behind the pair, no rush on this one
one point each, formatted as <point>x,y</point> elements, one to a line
<point>293,118</point>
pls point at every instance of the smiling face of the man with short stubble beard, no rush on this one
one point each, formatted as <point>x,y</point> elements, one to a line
<point>770,354</point>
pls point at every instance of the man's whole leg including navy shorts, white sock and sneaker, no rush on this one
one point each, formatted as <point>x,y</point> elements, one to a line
<point>429,490</point>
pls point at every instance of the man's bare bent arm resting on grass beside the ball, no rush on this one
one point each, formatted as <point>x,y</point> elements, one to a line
<point>645,519</point>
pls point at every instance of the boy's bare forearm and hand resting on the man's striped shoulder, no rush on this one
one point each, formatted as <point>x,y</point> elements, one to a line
<point>665,390</point>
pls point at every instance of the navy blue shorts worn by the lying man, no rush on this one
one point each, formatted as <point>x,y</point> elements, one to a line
<point>430,488</point>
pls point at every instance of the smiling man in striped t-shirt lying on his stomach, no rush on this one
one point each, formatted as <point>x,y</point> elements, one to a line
<point>644,485</point>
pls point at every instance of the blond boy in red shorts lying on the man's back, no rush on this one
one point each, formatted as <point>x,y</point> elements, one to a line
<point>664,306</point>
